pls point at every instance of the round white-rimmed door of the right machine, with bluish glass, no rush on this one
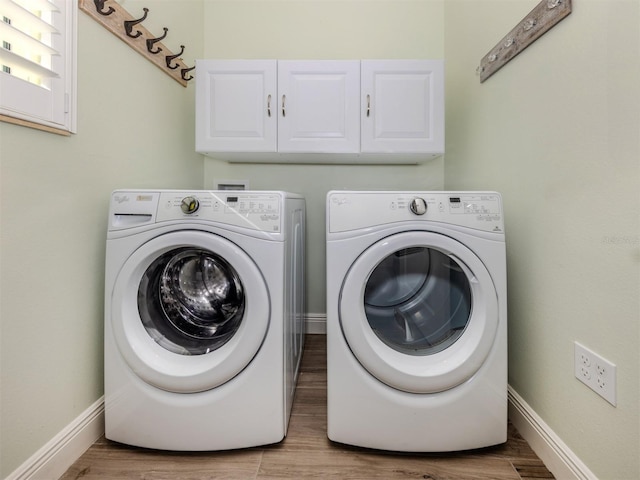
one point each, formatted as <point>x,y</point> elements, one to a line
<point>419,311</point>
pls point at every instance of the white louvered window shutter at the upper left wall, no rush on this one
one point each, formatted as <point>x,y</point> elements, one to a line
<point>37,61</point>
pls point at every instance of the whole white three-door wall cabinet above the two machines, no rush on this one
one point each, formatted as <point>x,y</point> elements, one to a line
<point>322,111</point>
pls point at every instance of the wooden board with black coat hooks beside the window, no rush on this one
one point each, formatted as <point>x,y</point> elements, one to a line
<point>122,24</point>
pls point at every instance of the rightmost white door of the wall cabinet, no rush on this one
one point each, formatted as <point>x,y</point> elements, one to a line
<point>402,106</point>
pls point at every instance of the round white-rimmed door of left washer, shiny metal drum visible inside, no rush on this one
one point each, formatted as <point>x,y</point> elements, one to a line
<point>181,304</point>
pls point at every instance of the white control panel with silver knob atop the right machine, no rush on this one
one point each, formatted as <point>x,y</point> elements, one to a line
<point>349,210</point>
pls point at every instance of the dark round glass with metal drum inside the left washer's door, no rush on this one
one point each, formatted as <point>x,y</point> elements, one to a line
<point>191,301</point>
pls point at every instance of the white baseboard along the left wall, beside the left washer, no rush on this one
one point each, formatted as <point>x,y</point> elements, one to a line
<point>55,458</point>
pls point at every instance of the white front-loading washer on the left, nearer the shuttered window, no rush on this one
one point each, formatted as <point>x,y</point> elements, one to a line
<point>204,330</point>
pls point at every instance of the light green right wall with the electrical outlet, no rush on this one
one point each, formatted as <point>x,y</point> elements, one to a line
<point>557,131</point>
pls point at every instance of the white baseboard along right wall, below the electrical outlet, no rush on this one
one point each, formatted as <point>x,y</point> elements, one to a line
<point>556,455</point>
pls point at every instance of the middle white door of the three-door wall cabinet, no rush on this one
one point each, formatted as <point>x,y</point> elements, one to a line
<point>318,109</point>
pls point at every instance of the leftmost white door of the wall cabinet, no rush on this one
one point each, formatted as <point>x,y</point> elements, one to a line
<point>235,106</point>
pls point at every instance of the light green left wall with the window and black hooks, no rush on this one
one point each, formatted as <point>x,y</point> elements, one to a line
<point>135,129</point>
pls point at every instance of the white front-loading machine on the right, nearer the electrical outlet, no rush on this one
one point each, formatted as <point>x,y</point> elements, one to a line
<point>416,320</point>
